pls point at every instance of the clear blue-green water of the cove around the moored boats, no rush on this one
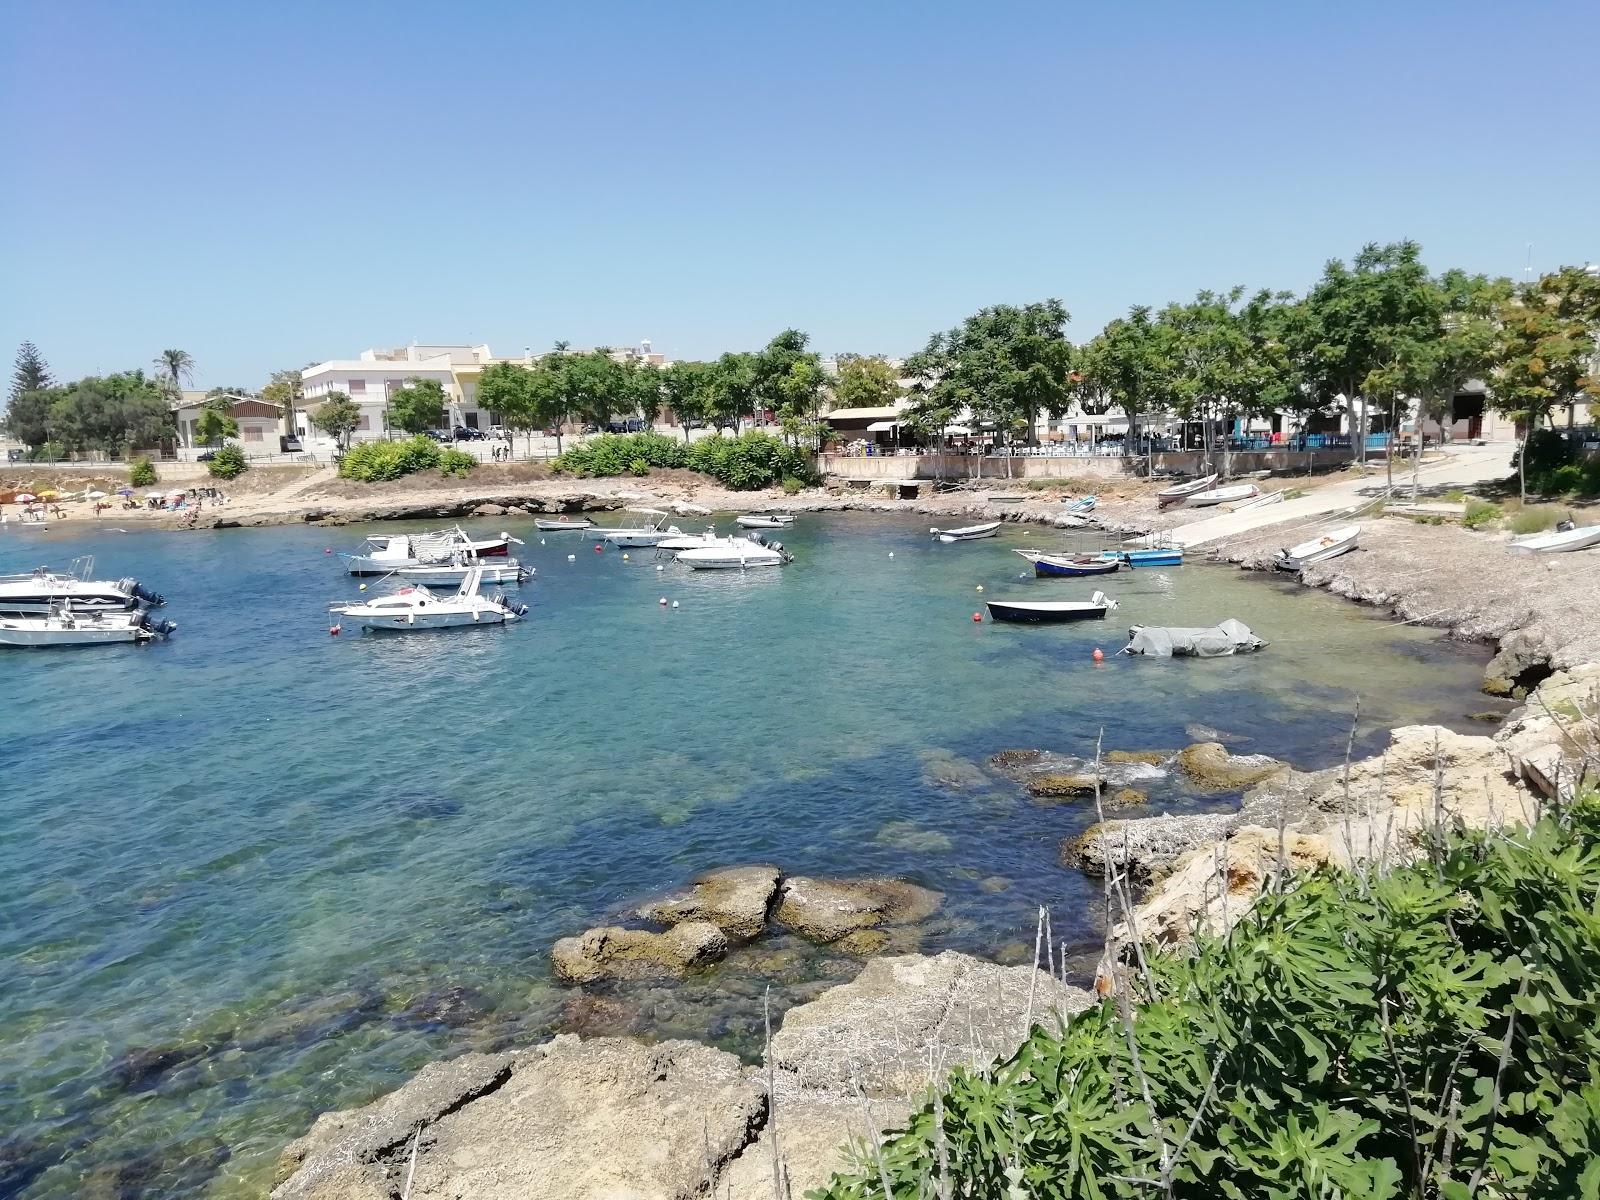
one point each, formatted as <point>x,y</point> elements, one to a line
<point>316,863</point>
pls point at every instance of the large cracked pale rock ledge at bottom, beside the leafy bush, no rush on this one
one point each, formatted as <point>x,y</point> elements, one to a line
<point>618,1118</point>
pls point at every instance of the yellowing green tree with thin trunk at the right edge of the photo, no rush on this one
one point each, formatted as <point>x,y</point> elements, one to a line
<point>1545,358</point>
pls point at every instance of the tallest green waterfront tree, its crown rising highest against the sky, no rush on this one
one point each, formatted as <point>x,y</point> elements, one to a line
<point>1353,322</point>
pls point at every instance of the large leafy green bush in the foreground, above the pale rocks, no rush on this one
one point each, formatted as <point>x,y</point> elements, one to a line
<point>1433,1033</point>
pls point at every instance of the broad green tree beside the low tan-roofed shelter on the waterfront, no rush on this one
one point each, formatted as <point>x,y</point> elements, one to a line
<point>1004,366</point>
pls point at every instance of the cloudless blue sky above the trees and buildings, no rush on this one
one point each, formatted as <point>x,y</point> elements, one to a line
<point>276,183</point>
